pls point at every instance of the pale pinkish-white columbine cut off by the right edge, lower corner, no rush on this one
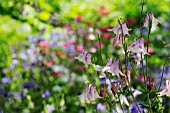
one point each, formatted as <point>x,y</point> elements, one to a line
<point>166,90</point>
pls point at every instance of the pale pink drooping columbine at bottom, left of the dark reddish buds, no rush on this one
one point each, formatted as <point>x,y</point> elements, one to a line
<point>90,92</point>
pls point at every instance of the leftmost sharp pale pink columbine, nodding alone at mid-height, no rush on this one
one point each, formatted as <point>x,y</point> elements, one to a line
<point>85,57</point>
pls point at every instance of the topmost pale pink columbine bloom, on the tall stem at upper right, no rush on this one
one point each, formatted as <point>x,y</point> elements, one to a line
<point>150,16</point>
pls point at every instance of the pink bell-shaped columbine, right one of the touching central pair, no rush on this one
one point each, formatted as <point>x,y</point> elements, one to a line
<point>114,69</point>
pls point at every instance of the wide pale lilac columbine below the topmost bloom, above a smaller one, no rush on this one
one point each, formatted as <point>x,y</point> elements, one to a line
<point>137,46</point>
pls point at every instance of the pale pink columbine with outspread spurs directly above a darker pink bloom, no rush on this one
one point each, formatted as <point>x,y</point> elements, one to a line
<point>117,29</point>
